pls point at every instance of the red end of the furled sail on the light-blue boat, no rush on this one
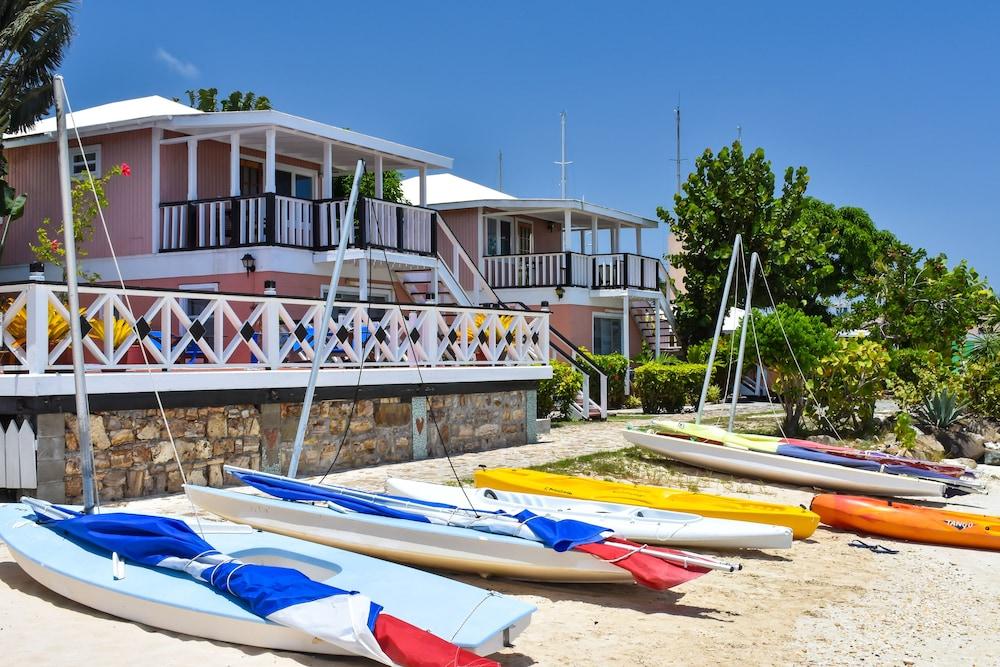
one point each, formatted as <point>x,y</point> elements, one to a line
<point>410,646</point>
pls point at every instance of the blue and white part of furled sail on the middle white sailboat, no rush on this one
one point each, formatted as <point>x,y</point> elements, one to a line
<point>559,535</point>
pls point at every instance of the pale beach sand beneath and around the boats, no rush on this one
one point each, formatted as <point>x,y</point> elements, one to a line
<point>819,603</point>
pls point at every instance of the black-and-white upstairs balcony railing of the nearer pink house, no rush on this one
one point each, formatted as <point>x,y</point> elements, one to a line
<point>278,220</point>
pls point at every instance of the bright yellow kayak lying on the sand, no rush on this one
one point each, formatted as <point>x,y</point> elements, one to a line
<point>800,520</point>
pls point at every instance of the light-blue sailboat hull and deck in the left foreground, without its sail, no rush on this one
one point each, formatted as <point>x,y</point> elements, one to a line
<point>174,602</point>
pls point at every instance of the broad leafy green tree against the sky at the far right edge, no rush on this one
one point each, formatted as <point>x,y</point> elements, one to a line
<point>913,300</point>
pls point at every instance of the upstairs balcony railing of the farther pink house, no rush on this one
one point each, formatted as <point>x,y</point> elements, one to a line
<point>572,269</point>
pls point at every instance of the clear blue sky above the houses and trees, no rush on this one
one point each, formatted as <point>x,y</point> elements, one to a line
<point>892,106</point>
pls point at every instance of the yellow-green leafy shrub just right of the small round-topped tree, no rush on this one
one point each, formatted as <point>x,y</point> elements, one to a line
<point>846,384</point>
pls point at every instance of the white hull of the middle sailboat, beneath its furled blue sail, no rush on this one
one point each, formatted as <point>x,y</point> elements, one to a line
<point>410,542</point>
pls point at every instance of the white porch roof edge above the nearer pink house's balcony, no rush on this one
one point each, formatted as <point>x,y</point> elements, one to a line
<point>240,119</point>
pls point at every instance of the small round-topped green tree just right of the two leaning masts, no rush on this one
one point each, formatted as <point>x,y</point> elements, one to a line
<point>811,340</point>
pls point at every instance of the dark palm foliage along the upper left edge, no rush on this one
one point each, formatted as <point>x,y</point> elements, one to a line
<point>33,38</point>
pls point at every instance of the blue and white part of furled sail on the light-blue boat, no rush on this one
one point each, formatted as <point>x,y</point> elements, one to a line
<point>279,594</point>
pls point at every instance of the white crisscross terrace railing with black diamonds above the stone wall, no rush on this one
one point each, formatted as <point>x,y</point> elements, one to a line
<point>202,330</point>
